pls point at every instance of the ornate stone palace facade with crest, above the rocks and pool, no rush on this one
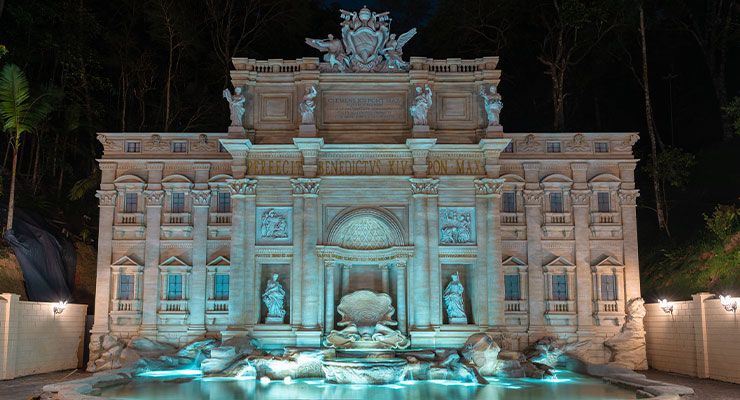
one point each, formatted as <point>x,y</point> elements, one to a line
<point>365,171</point>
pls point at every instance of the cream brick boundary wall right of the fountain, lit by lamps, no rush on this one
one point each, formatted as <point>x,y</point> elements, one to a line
<point>698,339</point>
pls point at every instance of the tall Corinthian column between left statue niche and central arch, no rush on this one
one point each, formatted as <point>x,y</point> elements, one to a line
<point>308,190</point>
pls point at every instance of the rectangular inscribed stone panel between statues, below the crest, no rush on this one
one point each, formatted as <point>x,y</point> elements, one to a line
<point>366,107</point>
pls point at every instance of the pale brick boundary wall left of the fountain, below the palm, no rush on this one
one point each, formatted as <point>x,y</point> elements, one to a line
<point>33,340</point>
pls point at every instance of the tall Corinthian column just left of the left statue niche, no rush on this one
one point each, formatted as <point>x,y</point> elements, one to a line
<point>242,191</point>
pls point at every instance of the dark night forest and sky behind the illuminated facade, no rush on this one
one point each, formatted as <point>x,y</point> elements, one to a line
<point>568,65</point>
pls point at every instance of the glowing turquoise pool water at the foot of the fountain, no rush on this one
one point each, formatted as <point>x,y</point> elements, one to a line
<point>568,385</point>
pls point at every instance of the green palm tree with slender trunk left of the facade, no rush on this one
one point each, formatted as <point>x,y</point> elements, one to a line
<point>19,114</point>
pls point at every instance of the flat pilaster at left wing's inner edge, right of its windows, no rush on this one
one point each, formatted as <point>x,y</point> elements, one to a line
<point>201,200</point>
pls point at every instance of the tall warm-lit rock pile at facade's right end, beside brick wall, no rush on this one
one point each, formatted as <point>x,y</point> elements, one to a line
<point>628,346</point>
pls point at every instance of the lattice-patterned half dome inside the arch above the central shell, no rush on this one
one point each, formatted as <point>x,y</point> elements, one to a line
<point>366,229</point>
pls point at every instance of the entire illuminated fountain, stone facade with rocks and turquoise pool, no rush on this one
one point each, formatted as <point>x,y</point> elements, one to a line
<point>363,229</point>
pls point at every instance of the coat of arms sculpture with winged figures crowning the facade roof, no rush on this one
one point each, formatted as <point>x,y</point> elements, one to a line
<point>366,45</point>
